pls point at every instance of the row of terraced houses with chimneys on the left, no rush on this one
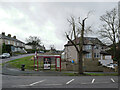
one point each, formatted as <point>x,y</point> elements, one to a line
<point>13,43</point>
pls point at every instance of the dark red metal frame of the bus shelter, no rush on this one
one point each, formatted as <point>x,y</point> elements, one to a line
<point>48,56</point>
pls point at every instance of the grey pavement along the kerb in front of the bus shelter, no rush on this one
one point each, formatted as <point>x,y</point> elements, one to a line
<point>18,72</point>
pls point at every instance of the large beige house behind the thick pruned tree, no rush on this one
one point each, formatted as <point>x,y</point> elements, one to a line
<point>92,48</point>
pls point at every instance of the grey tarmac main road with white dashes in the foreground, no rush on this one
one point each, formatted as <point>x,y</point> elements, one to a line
<point>59,81</point>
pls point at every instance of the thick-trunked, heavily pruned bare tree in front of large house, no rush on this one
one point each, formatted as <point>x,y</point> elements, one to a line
<point>78,30</point>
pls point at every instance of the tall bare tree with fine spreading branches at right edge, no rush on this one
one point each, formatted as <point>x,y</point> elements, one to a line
<point>109,29</point>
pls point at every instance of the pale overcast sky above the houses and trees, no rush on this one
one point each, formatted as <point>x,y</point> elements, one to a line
<point>48,20</point>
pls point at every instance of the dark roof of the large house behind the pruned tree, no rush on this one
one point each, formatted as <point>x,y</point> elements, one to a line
<point>87,40</point>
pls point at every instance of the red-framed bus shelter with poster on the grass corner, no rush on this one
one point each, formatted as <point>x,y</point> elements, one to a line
<point>45,62</point>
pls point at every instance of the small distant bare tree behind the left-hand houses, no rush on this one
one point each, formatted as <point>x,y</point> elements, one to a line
<point>34,41</point>
